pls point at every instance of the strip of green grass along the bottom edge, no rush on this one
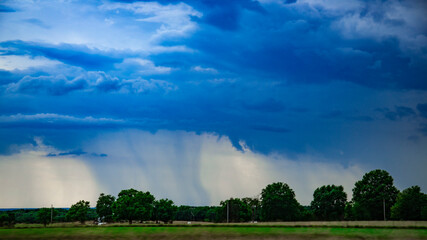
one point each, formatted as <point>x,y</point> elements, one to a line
<point>211,233</point>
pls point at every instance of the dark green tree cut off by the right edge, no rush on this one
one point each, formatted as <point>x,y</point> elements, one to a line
<point>409,204</point>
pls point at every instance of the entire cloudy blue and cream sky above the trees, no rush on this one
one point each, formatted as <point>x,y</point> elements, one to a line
<point>202,100</point>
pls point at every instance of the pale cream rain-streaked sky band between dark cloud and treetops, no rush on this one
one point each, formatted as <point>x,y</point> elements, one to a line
<point>186,167</point>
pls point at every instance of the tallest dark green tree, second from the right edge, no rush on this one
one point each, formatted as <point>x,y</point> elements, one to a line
<point>369,194</point>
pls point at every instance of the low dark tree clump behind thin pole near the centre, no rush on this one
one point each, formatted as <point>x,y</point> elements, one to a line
<point>238,210</point>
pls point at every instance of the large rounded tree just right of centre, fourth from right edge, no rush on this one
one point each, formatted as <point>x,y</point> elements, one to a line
<point>278,203</point>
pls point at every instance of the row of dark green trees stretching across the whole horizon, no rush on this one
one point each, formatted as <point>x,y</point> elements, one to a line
<point>374,198</point>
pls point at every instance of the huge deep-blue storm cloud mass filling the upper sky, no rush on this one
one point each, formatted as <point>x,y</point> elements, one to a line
<point>274,67</point>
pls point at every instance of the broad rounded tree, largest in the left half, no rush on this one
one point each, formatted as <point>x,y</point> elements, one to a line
<point>132,205</point>
